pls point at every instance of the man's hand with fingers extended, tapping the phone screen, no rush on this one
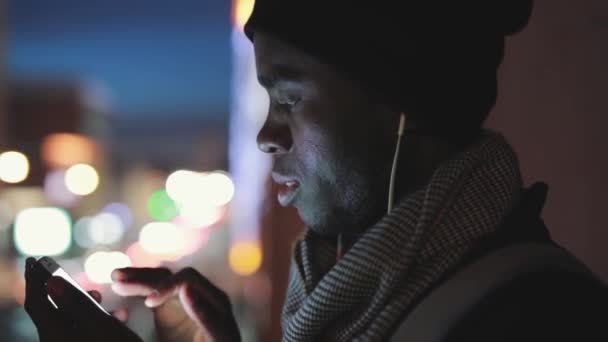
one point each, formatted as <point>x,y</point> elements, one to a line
<point>187,306</point>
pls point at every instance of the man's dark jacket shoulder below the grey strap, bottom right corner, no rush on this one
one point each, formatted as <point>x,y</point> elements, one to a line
<point>541,305</point>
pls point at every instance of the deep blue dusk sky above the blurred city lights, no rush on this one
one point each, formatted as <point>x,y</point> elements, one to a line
<point>166,57</point>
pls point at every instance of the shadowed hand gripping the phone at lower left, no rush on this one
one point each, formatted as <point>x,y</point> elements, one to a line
<point>76,319</point>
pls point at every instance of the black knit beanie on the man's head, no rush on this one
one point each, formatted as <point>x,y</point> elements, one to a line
<point>434,60</point>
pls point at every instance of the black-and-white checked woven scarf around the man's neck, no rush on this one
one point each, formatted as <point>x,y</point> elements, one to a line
<point>367,293</point>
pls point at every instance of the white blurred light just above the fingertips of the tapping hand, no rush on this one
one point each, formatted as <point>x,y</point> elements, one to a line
<point>99,265</point>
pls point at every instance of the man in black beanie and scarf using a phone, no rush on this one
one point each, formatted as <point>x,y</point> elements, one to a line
<point>375,129</point>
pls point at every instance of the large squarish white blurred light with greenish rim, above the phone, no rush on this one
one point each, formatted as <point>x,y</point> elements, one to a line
<point>42,231</point>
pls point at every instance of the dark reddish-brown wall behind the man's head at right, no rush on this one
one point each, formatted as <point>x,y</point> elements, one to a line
<point>553,107</point>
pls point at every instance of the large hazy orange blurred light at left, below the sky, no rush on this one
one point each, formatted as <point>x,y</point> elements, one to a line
<point>62,150</point>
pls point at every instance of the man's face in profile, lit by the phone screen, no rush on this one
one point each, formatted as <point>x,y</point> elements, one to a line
<point>332,145</point>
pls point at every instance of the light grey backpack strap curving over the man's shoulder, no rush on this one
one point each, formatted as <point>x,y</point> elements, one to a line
<point>435,315</point>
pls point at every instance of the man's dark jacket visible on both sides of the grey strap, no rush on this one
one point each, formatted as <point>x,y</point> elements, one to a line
<point>546,305</point>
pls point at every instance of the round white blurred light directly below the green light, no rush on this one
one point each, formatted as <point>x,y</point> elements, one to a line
<point>163,238</point>
